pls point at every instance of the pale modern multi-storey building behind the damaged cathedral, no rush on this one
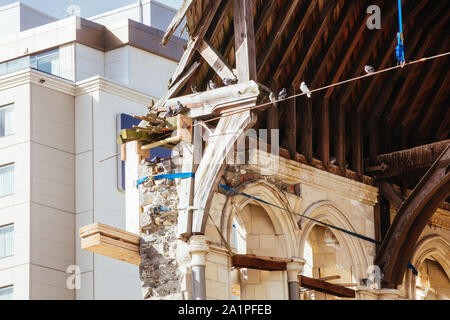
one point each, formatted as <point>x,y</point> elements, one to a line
<point>64,87</point>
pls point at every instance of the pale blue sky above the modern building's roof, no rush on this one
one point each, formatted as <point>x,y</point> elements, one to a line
<point>57,8</point>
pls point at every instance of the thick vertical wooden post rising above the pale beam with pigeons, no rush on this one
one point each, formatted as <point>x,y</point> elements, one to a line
<point>244,40</point>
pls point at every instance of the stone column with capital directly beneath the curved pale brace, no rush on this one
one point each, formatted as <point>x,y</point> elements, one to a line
<point>198,248</point>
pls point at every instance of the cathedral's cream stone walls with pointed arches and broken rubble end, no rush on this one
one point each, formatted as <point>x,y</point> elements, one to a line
<point>264,230</point>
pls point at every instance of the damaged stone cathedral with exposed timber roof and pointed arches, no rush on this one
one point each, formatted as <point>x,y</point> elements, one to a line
<point>274,191</point>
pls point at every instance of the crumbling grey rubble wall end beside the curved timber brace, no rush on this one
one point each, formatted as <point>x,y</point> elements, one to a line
<point>164,258</point>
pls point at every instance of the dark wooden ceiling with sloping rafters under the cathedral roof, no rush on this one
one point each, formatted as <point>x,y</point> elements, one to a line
<point>326,41</point>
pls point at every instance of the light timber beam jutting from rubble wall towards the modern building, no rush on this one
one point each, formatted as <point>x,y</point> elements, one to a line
<point>112,248</point>
